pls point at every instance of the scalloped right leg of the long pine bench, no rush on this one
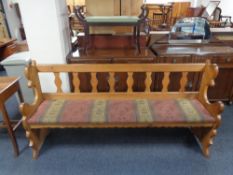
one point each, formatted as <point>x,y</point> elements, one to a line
<point>205,137</point>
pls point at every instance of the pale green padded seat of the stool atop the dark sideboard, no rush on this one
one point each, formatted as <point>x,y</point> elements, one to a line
<point>112,19</point>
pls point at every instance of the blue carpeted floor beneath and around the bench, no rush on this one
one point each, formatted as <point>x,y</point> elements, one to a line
<point>119,151</point>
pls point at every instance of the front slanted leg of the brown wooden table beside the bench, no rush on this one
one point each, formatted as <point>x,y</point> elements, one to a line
<point>9,128</point>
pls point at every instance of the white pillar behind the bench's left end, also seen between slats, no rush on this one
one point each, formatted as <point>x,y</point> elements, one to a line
<point>47,31</point>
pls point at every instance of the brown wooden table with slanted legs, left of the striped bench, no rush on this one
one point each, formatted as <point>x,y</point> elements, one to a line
<point>8,86</point>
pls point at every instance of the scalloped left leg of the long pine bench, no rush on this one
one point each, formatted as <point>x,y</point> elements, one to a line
<point>36,140</point>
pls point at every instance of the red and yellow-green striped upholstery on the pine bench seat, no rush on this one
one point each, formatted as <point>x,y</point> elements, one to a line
<point>117,111</point>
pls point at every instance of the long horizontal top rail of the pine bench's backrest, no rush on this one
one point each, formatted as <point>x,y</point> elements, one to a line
<point>121,68</point>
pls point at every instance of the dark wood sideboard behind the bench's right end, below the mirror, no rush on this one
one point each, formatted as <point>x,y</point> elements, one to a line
<point>216,53</point>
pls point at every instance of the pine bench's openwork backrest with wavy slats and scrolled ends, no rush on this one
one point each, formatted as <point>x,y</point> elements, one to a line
<point>207,71</point>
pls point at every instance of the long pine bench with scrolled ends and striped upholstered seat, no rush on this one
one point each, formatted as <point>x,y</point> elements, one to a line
<point>121,109</point>
